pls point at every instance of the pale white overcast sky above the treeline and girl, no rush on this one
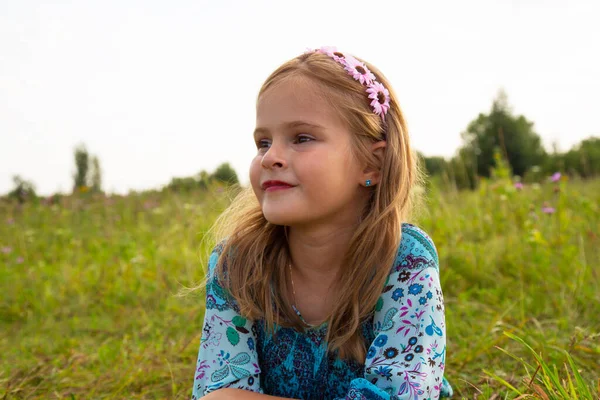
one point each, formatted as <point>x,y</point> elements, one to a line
<point>160,89</point>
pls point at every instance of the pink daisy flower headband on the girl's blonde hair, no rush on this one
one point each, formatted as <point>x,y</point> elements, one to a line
<point>379,95</point>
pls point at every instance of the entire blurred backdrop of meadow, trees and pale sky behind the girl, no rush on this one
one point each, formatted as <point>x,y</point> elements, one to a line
<point>126,127</point>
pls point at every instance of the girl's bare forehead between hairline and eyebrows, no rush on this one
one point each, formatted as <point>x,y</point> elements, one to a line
<point>294,100</point>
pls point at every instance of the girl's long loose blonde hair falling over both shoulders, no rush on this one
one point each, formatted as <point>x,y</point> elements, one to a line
<point>253,261</point>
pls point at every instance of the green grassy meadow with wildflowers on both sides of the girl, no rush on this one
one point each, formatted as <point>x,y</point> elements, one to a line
<point>89,305</point>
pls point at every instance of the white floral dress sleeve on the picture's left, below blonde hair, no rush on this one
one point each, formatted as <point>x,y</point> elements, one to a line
<point>227,355</point>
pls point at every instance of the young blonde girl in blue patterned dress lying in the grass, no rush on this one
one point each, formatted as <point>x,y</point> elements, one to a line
<point>317,289</point>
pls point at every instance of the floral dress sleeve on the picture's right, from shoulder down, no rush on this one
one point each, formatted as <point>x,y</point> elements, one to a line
<point>406,360</point>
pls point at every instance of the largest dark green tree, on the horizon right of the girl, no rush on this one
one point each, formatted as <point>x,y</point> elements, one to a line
<point>512,135</point>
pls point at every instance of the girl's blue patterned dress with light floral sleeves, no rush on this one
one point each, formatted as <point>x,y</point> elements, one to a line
<point>406,340</point>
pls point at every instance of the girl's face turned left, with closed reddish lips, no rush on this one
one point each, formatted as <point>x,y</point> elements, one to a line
<point>301,141</point>
